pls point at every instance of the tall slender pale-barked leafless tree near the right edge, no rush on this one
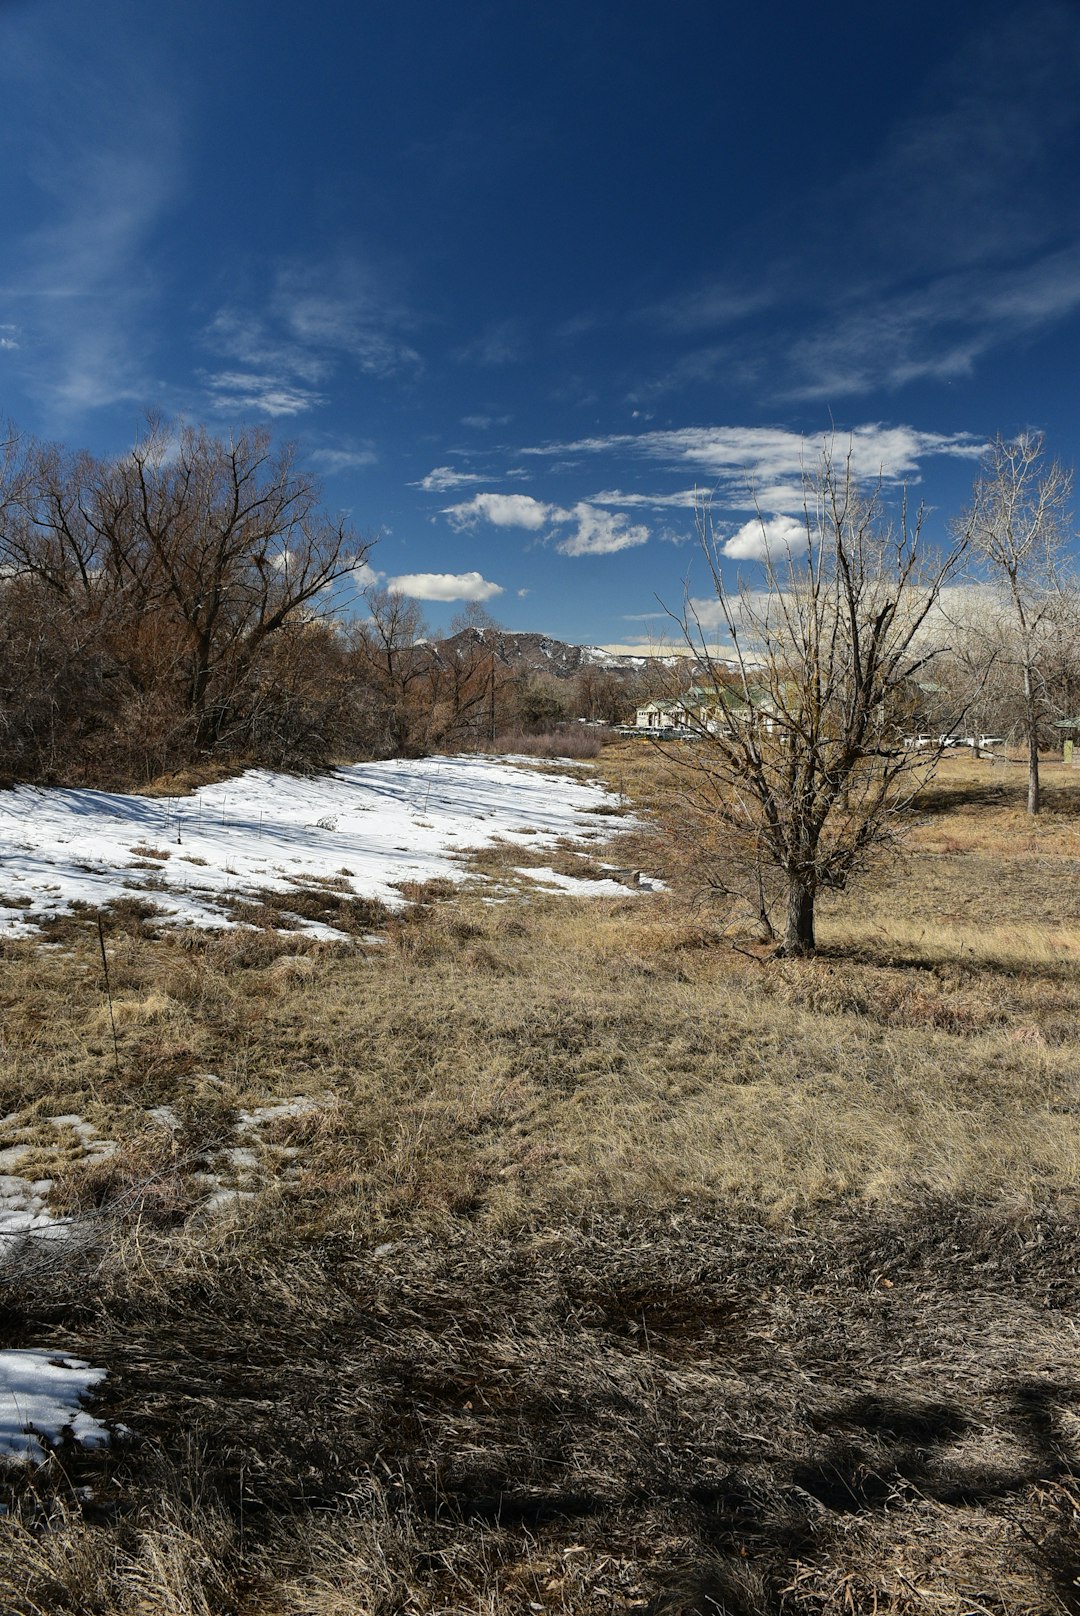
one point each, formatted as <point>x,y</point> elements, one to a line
<point>1018,523</point>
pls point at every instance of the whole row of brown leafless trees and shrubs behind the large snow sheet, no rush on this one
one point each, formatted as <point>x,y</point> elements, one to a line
<point>193,602</point>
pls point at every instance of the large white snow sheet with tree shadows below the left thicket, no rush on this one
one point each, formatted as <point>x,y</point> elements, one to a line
<point>368,828</point>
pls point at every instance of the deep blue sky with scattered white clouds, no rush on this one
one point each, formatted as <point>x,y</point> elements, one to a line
<point>518,279</point>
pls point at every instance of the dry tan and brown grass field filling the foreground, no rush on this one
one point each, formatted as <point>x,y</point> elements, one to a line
<point>557,1255</point>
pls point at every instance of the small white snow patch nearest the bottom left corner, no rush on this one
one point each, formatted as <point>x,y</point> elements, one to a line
<point>41,1397</point>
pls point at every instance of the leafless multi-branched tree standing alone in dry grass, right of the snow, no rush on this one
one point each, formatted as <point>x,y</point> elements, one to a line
<point>799,757</point>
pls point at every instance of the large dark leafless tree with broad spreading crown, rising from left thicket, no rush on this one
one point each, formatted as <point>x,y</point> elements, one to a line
<point>190,553</point>
